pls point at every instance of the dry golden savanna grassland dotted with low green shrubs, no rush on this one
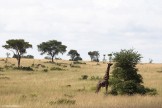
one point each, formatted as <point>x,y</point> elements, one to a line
<point>59,85</point>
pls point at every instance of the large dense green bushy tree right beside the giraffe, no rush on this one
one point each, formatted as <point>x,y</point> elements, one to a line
<point>125,79</point>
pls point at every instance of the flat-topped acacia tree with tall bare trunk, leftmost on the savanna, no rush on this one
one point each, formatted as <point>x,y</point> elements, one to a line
<point>19,45</point>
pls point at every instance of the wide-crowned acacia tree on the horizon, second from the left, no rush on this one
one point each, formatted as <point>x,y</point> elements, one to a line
<point>52,48</point>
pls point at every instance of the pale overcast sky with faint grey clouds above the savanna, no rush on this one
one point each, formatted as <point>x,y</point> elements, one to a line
<point>85,25</point>
